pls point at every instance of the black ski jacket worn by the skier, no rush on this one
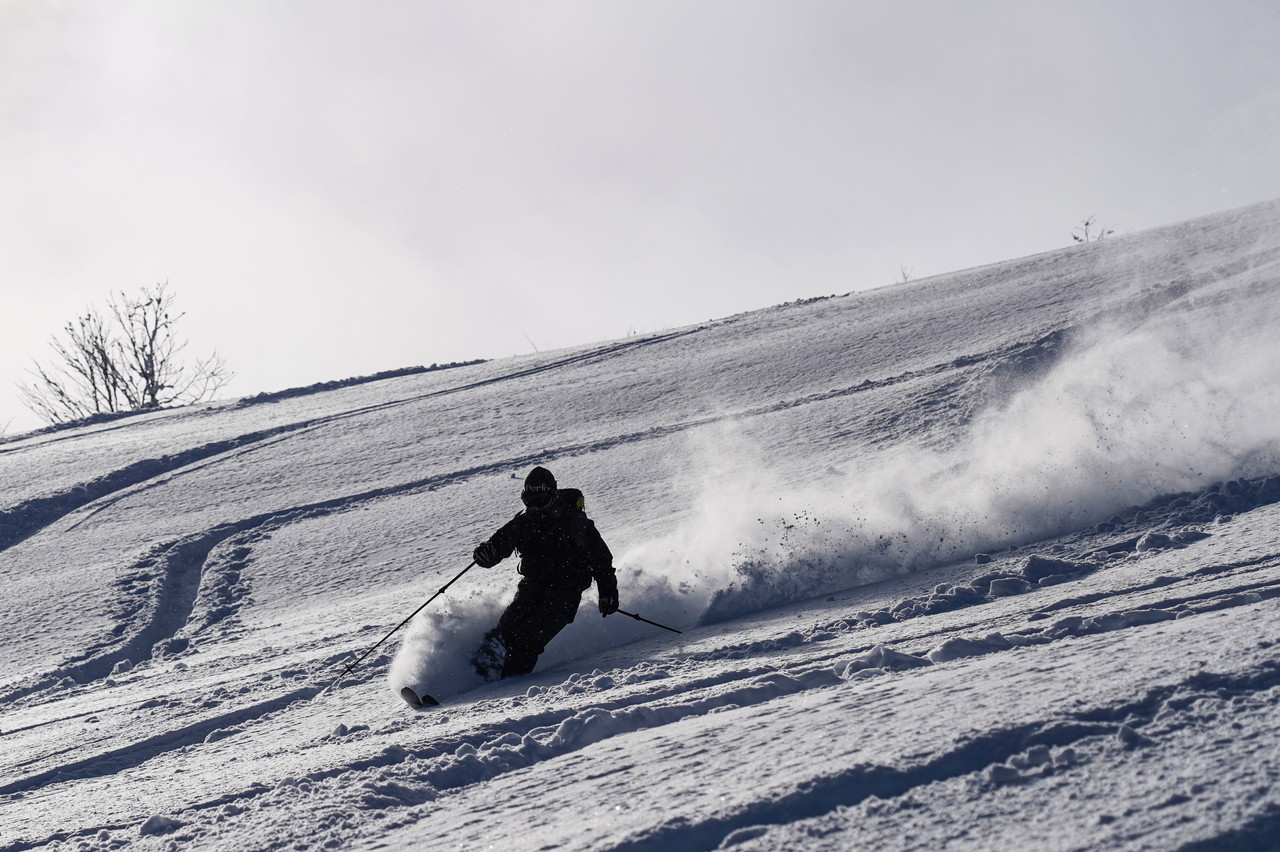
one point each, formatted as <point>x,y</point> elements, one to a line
<point>560,547</point>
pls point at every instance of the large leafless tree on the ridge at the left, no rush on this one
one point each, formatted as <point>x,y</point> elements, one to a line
<point>126,361</point>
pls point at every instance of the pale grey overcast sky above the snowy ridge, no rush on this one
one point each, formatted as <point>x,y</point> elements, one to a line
<point>335,189</point>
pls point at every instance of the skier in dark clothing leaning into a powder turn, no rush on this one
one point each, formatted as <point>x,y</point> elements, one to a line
<point>561,553</point>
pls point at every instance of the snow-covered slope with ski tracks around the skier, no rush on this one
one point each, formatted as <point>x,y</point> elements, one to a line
<point>985,561</point>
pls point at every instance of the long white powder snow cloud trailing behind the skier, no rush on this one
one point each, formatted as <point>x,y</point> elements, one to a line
<point>1123,419</point>
